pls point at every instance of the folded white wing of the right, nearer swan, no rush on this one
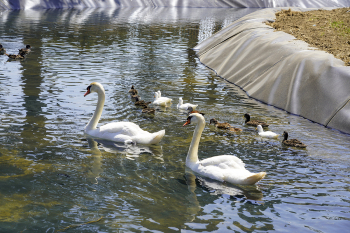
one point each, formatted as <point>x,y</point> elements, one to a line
<point>224,160</point>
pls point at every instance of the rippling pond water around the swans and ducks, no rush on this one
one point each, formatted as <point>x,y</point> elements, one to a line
<point>52,177</point>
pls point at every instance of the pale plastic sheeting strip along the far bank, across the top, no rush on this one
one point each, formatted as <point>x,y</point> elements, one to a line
<point>30,4</point>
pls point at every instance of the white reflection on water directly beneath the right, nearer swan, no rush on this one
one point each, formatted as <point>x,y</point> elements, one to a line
<point>218,188</point>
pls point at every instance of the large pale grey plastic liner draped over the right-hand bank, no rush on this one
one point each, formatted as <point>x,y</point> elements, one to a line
<point>279,70</point>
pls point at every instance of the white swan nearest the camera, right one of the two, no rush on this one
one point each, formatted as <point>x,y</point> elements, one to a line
<point>227,168</point>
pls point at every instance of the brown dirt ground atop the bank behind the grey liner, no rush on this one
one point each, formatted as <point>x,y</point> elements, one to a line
<point>327,30</point>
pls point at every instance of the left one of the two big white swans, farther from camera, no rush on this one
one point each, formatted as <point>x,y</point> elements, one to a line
<point>126,132</point>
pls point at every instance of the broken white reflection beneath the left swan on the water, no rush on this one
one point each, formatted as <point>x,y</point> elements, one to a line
<point>130,151</point>
